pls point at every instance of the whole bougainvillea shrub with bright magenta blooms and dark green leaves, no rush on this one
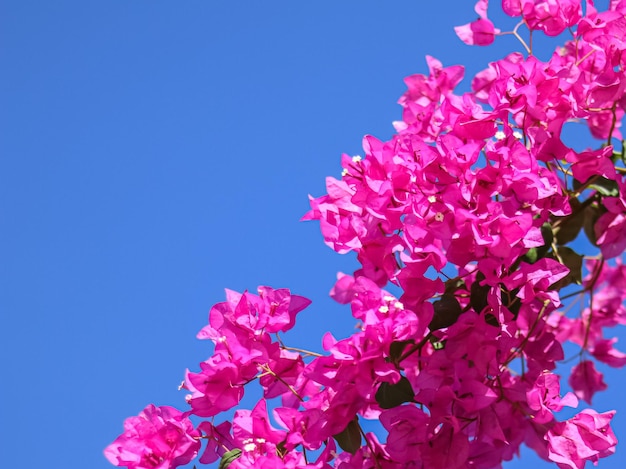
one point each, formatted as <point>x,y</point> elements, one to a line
<point>470,210</point>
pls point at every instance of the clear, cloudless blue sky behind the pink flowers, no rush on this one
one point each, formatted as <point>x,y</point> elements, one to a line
<point>153,153</point>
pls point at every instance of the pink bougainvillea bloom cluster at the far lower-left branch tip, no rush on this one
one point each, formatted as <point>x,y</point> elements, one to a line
<point>158,438</point>
